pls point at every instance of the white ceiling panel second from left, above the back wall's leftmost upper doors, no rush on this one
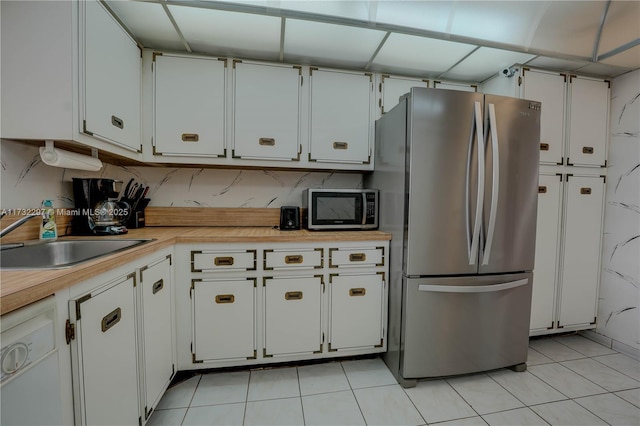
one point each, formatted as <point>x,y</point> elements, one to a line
<point>229,33</point>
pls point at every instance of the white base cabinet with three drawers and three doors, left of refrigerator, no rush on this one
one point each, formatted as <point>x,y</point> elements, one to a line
<point>262,303</point>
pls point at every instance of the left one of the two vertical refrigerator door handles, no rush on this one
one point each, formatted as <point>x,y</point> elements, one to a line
<point>475,237</point>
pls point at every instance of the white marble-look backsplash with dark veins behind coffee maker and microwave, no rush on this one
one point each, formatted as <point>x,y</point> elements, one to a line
<point>26,181</point>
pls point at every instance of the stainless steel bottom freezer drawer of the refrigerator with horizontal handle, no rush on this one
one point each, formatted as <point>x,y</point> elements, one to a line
<point>459,325</point>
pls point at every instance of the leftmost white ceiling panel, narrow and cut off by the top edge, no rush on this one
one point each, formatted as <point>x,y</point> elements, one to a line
<point>149,23</point>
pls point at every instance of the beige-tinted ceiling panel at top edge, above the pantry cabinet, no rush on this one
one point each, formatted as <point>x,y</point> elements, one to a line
<point>569,27</point>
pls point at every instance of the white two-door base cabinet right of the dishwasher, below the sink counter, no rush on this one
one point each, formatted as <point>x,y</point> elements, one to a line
<point>121,332</point>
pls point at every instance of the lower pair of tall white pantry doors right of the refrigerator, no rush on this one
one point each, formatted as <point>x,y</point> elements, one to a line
<point>568,250</point>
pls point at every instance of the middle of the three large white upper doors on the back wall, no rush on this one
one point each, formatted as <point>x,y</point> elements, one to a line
<point>266,111</point>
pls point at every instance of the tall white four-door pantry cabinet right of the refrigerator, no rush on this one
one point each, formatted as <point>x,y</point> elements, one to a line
<point>573,155</point>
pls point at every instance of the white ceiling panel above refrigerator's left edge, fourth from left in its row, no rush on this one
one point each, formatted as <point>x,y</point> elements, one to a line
<point>418,55</point>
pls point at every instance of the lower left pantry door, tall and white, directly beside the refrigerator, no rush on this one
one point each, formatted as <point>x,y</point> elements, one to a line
<point>545,272</point>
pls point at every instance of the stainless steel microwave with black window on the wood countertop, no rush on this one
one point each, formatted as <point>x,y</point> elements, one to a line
<point>340,209</point>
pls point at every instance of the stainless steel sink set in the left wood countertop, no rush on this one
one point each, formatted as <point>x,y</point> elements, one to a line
<point>62,254</point>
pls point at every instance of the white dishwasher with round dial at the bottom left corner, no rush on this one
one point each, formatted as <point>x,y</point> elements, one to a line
<point>30,382</point>
